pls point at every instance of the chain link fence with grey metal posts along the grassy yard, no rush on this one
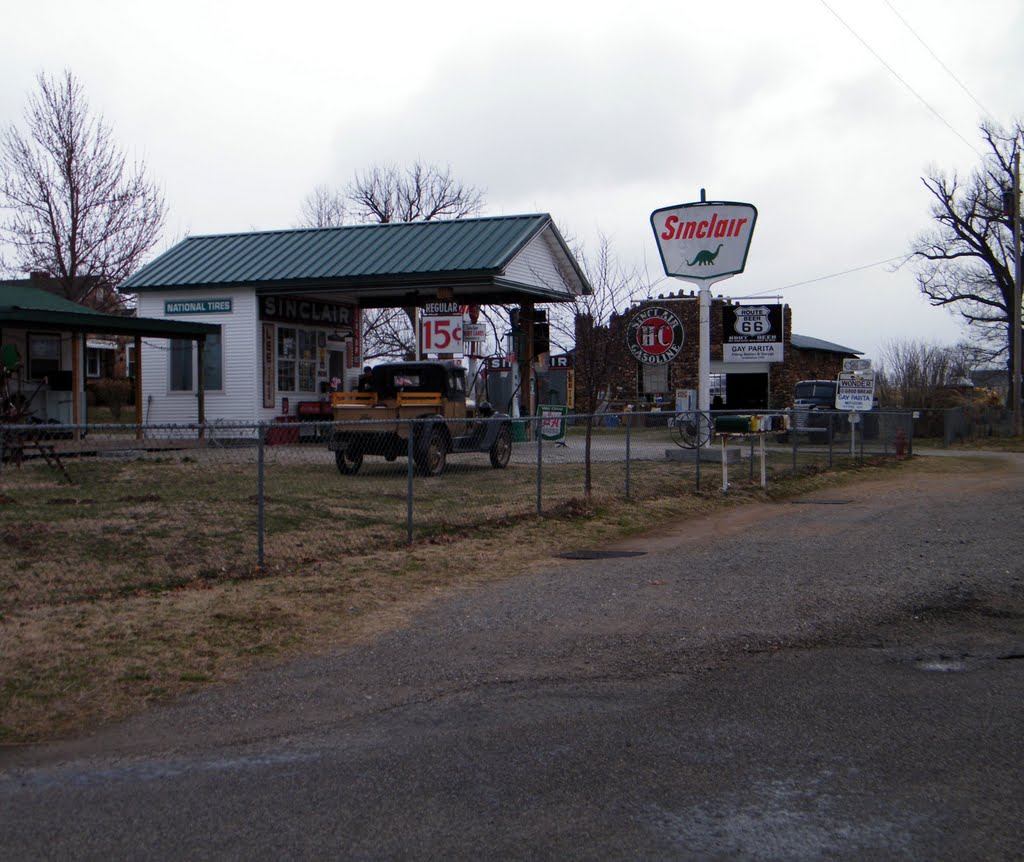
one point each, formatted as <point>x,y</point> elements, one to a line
<point>162,505</point>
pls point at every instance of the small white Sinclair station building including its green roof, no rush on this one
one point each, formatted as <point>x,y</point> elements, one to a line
<point>289,304</point>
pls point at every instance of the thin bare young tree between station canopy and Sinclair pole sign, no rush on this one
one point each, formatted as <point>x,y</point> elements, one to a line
<point>593,327</point>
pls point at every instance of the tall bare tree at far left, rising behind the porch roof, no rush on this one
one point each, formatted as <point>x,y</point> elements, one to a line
<point>75,208</point>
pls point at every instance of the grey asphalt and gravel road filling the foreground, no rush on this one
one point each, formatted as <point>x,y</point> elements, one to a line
<point>836,678</point>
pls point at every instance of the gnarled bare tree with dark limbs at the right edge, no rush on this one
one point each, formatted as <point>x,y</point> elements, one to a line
<point>965,263</point>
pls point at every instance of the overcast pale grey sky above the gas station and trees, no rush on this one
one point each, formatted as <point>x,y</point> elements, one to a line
<point>824,114</point>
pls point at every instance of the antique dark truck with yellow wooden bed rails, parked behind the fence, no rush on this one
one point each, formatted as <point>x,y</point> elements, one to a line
<point>425,400</point>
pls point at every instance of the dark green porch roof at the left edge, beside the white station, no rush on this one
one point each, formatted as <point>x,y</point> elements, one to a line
<point>23,307</point>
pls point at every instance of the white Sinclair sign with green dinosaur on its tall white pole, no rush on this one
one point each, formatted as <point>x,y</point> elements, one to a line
<point>705,242</point>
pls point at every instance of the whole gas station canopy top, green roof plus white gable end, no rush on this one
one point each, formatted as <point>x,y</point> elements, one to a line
<point>505,260</point>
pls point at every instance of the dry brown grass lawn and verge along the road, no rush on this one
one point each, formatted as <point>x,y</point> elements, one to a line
<point>138,585</point>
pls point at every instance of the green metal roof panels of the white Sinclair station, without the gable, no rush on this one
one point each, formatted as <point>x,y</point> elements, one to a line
<point>416,254</point>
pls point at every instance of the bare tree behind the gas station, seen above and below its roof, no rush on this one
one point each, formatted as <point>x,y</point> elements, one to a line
<point>386,194</point>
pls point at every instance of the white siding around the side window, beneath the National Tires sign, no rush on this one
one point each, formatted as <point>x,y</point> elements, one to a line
<point>241,399</point>
